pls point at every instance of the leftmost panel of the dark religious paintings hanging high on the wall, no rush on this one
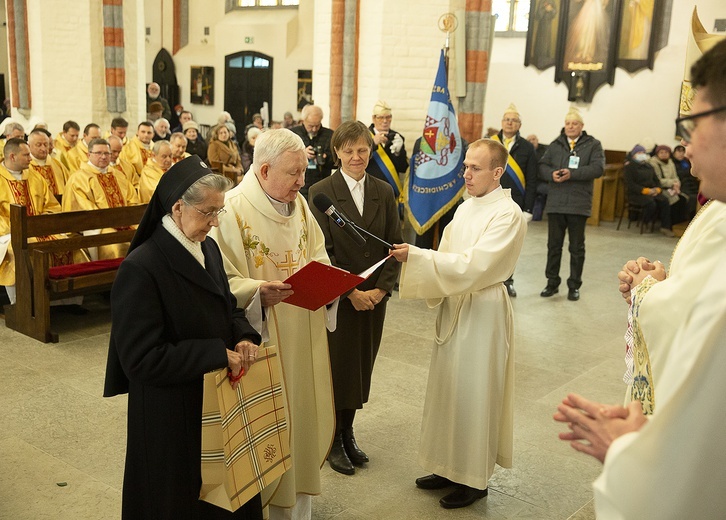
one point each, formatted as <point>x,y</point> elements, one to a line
<point>544,20</point>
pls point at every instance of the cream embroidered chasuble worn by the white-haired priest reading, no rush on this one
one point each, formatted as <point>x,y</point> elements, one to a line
<point>259,244</point>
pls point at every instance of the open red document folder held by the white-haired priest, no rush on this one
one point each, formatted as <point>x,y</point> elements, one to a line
<point>317,284</point>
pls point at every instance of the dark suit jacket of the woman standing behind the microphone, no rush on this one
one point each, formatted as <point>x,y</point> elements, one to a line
<point>380,217</point>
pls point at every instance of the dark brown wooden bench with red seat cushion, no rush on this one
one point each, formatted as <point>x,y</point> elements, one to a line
<point>37,284</point>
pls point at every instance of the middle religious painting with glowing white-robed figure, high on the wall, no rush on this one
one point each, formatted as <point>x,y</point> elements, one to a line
<point>589,30</point>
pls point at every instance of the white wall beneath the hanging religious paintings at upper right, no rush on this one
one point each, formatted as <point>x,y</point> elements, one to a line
<point>637,106</point>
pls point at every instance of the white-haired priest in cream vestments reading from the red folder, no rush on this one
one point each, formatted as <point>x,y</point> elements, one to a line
<point>268,234</point>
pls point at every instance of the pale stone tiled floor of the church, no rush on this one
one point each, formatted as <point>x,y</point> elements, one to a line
<point>55,428</point>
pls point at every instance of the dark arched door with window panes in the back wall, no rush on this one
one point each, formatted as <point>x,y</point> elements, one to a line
<point>247,85</point>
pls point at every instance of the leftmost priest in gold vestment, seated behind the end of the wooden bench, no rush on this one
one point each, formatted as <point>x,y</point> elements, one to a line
<point>18,185</point>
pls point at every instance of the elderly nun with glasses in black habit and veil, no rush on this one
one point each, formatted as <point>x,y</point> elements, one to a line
<point>174,319</point>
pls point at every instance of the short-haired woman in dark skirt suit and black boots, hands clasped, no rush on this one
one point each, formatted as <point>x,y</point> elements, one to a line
<point>370,203</point>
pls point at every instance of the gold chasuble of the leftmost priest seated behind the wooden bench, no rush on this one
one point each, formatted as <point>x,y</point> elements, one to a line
<point>33,193</point>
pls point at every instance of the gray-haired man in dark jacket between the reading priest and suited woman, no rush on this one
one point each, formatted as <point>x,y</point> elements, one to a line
<point>317,146</point>
